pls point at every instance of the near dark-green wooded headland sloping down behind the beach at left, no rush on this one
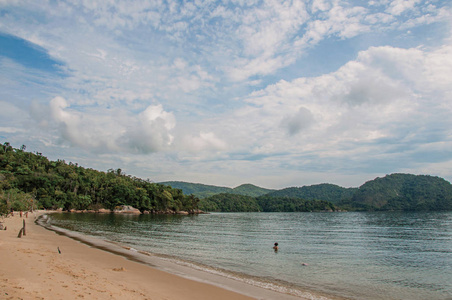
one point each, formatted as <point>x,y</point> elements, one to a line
<point>30,181</point>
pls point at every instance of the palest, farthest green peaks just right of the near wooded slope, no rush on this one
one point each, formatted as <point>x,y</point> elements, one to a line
<point>204,191</point>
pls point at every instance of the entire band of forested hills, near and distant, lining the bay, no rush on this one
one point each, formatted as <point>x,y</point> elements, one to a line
<point>30,181</point>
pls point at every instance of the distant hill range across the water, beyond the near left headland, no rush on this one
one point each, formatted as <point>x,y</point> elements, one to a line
<point>401,192</point>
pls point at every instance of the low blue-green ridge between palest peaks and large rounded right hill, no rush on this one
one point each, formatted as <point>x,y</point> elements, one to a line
<point>325,191</point>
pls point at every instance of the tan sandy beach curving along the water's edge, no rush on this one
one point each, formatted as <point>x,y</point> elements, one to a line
<point>46,265</point>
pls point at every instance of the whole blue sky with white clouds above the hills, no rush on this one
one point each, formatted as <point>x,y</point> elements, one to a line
<point>273,93</point>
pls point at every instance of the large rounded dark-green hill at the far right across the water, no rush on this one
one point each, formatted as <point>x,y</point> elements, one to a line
<point>403,192</point>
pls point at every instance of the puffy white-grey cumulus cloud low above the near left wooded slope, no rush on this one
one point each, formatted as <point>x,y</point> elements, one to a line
<point>109,131</point>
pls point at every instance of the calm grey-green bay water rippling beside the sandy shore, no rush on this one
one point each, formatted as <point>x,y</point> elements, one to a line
<point>368,255</point>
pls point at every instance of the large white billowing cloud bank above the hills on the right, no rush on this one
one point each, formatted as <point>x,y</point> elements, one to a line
<point>370,104</point>
